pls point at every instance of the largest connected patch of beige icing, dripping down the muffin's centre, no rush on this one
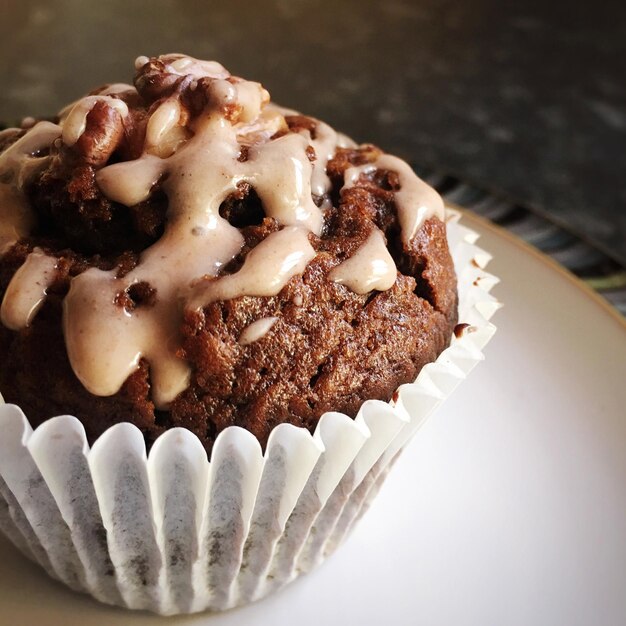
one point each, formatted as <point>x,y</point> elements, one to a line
<point>198,177</point>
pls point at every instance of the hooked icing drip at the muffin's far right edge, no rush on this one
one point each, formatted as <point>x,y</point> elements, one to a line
<point>416,201</point>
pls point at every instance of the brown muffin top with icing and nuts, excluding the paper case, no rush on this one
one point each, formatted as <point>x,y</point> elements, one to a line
<point>182,252</point>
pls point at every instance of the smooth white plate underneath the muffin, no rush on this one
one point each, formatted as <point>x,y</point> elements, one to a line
<point>509,507</point>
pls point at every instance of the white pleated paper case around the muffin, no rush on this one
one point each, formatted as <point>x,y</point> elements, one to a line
<point>177,533</point>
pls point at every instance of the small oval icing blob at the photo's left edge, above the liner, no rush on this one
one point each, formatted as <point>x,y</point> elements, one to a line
<point>27,290</point>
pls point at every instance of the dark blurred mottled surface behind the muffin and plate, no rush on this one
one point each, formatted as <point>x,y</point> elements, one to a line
<point>524,97</point>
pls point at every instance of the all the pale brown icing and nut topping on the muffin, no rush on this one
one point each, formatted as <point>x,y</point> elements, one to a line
<point>206,134</point>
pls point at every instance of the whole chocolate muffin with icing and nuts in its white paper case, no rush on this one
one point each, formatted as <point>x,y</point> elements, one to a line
<point>266,307</point>
